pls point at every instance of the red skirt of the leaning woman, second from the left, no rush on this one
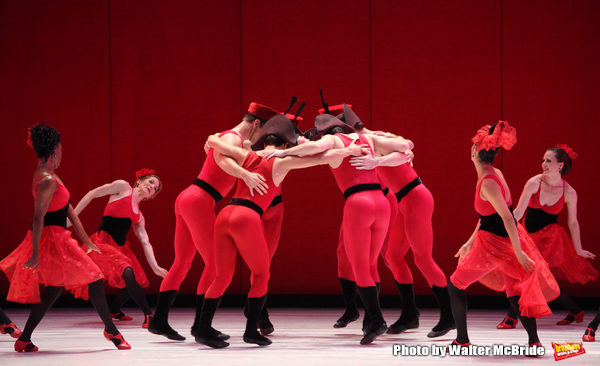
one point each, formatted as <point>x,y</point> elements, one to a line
<point>113,260</point>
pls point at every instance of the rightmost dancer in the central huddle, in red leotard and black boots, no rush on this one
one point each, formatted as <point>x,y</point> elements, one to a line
<point>411,228</point>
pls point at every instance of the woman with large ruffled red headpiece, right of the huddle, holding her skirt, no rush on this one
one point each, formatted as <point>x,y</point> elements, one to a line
<point>499,253</point>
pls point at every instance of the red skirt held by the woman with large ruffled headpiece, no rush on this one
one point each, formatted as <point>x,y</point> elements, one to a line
<point>495,255</point>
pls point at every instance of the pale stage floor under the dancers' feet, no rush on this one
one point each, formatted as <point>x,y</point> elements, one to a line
<point>301,337</point>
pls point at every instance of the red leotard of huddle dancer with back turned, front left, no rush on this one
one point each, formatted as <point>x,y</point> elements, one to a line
<point>240,228</point>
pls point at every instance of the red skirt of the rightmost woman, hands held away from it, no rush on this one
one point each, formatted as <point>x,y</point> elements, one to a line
<point>559,252</point>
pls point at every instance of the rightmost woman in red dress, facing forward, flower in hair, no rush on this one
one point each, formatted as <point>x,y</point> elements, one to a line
<point>543,197</point>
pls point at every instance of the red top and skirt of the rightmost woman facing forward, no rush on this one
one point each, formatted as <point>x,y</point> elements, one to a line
<point>556,246</point>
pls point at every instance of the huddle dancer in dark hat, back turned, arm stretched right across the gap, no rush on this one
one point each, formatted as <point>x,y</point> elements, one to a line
<point>236,225</point>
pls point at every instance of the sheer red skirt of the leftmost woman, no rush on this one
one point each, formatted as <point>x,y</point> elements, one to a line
<point>62,264</point>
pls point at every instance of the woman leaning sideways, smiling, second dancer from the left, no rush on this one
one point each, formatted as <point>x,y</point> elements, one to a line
<point>116,260</point>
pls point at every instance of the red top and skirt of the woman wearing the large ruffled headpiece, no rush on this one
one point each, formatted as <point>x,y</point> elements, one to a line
<point>492,262</point>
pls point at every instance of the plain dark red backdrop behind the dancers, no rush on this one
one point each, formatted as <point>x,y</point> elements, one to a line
<point>143,83</point>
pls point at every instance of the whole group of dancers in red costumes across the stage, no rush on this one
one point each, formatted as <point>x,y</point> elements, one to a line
<point>387,211</point>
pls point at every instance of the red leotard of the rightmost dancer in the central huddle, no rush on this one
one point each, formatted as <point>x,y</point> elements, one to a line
<point>411,229</point>
